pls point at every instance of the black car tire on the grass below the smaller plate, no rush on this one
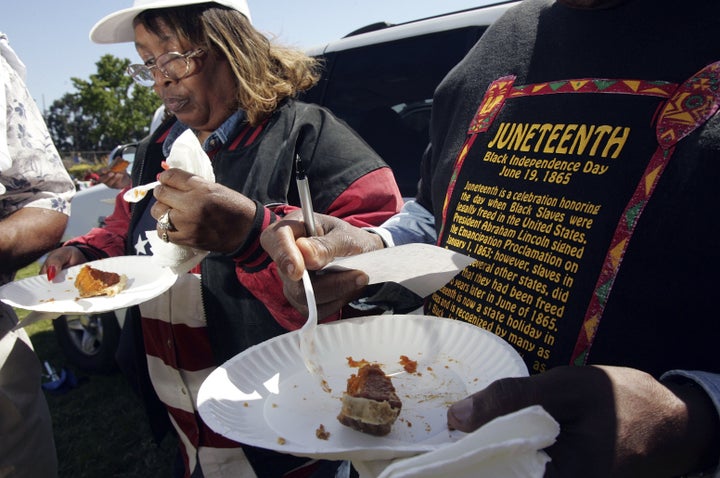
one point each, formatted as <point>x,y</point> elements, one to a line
<point>89,341</point>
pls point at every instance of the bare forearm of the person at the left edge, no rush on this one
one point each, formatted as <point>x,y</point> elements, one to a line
<point>28,234</point>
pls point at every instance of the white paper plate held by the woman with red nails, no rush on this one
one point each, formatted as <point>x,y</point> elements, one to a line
<point>146,280</point>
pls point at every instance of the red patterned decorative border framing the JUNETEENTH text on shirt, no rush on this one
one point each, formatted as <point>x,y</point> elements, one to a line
<point>687,107</point>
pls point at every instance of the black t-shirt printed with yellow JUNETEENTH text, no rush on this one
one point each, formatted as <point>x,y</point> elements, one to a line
<point>576,160</point>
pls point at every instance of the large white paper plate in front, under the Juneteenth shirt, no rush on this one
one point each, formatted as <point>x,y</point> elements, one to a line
<point>265,396</point>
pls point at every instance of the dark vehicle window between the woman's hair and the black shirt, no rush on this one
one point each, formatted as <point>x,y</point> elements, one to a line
<point>384,92</point>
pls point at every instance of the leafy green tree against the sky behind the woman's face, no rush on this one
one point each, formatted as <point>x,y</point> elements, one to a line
<point>106,110</point>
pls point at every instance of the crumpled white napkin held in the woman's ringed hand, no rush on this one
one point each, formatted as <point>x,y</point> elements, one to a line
<point>186,154</point>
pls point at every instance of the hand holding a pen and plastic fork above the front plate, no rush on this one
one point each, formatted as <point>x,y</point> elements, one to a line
<point>287,244</point>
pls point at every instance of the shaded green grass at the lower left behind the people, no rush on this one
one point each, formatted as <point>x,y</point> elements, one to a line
<point>100,426</point>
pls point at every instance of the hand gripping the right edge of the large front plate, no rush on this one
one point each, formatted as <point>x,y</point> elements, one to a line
<point>613,421</point>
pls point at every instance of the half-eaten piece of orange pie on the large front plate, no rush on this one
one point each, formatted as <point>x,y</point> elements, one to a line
<point>370,404</point>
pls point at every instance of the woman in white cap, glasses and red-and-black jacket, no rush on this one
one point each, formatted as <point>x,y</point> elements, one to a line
<point>224,80</point>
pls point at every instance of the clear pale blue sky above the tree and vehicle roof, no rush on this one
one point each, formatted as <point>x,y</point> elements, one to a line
<point>51,36</point>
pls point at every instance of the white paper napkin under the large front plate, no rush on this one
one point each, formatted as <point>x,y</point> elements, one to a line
<point>507,447</point>
